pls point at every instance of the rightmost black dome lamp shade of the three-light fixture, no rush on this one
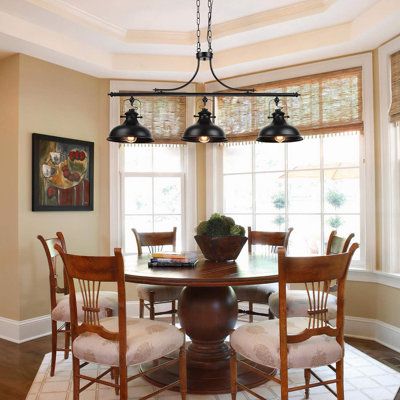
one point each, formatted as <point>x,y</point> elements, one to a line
<point>279,131</point>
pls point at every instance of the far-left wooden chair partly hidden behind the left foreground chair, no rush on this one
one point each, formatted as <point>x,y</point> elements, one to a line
<point>59,298</point>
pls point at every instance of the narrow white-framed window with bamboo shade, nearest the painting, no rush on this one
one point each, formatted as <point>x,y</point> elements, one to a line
<point>151,185</point>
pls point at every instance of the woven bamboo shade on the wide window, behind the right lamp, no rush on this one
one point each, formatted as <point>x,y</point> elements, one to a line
<point>329,103</point>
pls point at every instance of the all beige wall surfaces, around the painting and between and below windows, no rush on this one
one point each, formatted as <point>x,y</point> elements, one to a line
<point>37,96</point>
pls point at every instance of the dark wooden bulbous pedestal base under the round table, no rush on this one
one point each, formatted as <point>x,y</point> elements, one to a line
<point>208,315</point>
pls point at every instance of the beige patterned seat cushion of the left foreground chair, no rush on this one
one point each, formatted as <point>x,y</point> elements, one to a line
<point>146,340</point>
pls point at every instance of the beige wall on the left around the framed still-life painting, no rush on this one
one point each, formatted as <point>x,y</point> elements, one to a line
<point>56,101</point>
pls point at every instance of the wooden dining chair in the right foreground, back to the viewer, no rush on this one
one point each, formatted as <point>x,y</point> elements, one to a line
<point>300,342</point>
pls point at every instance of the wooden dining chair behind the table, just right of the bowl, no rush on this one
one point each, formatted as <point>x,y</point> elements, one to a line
<point>259,294</point>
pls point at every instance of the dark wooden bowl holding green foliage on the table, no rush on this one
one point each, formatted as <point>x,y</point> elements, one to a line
<point>221,248</point>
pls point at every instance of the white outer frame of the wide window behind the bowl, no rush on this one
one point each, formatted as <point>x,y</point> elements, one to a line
<point>367,159</point>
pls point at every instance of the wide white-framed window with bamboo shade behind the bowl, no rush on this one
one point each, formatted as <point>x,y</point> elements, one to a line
<point>315,186</point>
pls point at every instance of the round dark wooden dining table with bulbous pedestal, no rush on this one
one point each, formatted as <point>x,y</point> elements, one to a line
<point>208,313</point>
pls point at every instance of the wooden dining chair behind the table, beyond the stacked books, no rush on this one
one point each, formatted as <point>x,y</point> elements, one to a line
<point>151,295</point>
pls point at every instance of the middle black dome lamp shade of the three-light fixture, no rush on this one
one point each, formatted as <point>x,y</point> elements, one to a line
<point>204,130</point>
